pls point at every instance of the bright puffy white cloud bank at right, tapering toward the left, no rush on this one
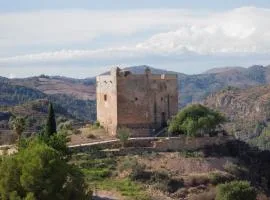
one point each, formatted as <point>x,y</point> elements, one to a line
<point>243,30</point>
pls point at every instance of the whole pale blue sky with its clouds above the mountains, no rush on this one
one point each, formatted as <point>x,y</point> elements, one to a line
<point>84,38</point>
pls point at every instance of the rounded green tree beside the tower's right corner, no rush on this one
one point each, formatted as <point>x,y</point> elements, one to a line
<point>195,120</point>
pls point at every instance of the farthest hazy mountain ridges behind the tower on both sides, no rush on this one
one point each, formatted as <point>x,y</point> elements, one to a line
<point>192,88</point>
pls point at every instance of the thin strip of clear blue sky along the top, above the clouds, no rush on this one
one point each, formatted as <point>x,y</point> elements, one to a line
<point>29,5</point>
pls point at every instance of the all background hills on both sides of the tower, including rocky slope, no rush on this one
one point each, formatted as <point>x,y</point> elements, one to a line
<point>243,94</point>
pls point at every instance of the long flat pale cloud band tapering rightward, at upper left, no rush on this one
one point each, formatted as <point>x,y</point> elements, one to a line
<point>69,26</point>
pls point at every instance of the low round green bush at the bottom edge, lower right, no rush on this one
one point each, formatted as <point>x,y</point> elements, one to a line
<point>236,190</point>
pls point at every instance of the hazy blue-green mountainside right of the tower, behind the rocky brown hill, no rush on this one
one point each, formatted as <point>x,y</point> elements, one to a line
<point>194,88</point>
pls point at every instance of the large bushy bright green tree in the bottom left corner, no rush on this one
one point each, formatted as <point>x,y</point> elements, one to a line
<point>40,172</point>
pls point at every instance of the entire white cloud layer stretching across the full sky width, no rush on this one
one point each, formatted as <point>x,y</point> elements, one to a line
<point>176,32</point>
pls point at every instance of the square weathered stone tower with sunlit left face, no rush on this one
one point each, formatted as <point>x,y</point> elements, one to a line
<point>141,102</point>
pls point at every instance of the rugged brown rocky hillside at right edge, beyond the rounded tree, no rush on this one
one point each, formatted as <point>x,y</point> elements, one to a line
<point>244,108</point>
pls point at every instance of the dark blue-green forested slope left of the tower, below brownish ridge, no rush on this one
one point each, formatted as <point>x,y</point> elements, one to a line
<point>13,95</point>
